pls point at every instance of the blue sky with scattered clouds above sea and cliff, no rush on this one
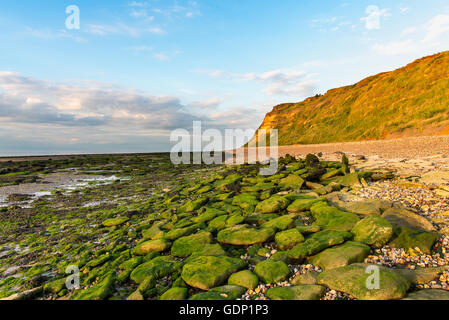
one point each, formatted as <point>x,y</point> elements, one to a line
<point>119,76</point>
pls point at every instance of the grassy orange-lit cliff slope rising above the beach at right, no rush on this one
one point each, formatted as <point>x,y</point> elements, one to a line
<point>410,101</point>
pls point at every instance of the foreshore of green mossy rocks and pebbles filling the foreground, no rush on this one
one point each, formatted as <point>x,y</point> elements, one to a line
<point>317,230</point>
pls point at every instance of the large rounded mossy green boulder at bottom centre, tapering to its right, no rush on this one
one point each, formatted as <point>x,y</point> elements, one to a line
<point>206,272</point>
